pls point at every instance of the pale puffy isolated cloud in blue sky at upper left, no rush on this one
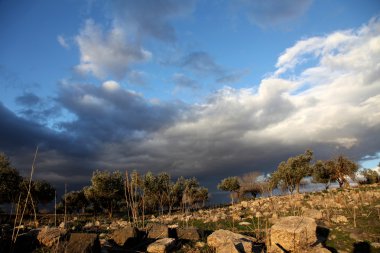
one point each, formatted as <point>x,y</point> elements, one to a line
<point>107,53</point>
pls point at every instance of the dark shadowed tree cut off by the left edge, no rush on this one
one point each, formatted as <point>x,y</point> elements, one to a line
<point>9,181</point>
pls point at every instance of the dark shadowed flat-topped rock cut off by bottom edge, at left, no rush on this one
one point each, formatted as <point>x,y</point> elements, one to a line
<point>83,243</point>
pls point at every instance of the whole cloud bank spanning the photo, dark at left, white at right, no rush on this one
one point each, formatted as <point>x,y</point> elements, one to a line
<point>331,106</point>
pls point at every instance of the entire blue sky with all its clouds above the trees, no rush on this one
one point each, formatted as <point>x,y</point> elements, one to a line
<point>201,88</point>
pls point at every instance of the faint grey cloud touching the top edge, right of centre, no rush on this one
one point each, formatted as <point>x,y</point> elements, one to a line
<point>273,12</point>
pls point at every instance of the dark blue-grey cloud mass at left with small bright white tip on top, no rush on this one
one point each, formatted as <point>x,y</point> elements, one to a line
<point>107,115</point>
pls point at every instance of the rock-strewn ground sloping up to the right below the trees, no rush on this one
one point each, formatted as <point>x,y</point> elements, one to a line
<point>338,220</point>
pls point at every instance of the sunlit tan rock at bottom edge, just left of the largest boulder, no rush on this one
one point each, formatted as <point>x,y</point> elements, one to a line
<point>222,239</point>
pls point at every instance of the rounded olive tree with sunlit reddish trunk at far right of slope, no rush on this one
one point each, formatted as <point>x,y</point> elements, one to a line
<point>342,167</point>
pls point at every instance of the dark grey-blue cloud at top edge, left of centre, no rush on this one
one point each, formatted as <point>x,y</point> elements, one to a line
<point>151,17</point>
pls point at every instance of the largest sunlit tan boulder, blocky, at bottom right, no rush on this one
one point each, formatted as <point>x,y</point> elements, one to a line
<point>293,233</point>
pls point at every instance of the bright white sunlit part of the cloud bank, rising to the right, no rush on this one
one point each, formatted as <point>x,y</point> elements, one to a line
<point>335,103</point>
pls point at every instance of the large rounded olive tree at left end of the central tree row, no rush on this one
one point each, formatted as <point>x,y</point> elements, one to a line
<point>106,189</point>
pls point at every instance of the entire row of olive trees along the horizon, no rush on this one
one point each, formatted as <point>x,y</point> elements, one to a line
<point>139,194</point>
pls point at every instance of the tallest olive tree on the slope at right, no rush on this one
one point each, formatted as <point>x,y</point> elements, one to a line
<point>289,174</point>
